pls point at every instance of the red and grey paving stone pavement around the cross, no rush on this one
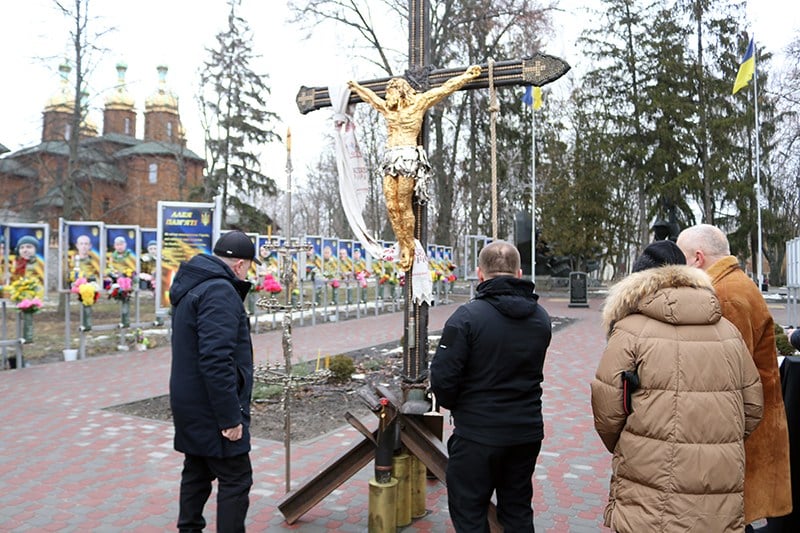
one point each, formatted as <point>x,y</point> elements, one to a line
<point>68,465</point>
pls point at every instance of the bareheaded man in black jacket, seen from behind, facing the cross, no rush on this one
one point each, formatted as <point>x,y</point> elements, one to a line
<point>488,372</point>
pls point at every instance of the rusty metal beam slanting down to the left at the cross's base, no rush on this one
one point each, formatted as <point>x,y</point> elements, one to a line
<point>297,503</point>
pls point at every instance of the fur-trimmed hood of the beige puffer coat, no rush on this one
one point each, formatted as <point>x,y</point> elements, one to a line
<point>667,294</point>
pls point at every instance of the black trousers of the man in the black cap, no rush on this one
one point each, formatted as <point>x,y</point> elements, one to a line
<point>234,477</point>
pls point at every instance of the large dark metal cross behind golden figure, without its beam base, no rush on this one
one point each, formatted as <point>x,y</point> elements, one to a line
<point>537,71</point>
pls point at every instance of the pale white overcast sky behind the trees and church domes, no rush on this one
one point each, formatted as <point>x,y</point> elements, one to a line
<point>175,33</point>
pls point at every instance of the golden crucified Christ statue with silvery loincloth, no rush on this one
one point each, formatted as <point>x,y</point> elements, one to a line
<point>405,166</point>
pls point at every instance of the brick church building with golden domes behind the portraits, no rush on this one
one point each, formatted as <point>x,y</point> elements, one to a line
<point>119,177</point>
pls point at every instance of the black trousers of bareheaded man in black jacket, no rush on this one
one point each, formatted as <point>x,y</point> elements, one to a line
<point>475,471</point>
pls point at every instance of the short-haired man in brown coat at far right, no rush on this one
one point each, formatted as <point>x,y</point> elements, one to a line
<point>767,484</point>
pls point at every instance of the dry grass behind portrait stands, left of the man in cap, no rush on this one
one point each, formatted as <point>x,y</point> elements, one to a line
<point>49,329</point>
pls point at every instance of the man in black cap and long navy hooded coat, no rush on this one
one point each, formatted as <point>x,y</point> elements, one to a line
<point>212,381</point>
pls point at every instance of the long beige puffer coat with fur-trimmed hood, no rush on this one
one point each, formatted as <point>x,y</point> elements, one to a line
<point>679,455</point>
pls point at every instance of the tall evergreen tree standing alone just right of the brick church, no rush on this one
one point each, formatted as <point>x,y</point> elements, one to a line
<point>236,121</point>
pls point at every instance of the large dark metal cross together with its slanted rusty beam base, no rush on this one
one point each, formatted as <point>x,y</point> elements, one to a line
<point>537,71</point>
